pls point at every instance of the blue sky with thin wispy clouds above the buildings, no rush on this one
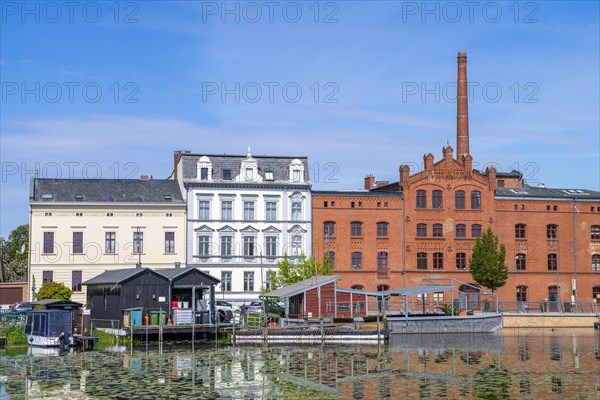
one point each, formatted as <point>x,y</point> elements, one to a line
<point>111,89</point>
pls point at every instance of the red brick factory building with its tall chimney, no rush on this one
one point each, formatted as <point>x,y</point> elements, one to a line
<point>426,224</point>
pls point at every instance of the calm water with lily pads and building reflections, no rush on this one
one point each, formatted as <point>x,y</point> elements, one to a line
<point>516,364</point>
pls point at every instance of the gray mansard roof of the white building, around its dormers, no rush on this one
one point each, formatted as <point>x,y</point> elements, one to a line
<point>279,165</point>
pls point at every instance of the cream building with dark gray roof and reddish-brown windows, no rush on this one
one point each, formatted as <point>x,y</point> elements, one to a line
<point>83,227</point>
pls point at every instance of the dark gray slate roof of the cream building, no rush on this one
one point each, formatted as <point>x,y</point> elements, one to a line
<point>106,191</point>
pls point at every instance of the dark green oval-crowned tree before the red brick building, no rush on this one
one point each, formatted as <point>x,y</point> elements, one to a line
<point>487,261</point>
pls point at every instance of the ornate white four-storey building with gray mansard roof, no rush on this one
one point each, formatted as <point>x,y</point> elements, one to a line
<point>244,214</point>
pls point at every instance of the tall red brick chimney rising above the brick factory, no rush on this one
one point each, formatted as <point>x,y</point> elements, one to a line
<point>462,109</point>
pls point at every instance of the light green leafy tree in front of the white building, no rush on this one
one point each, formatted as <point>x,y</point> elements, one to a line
<point>289,271</point>
